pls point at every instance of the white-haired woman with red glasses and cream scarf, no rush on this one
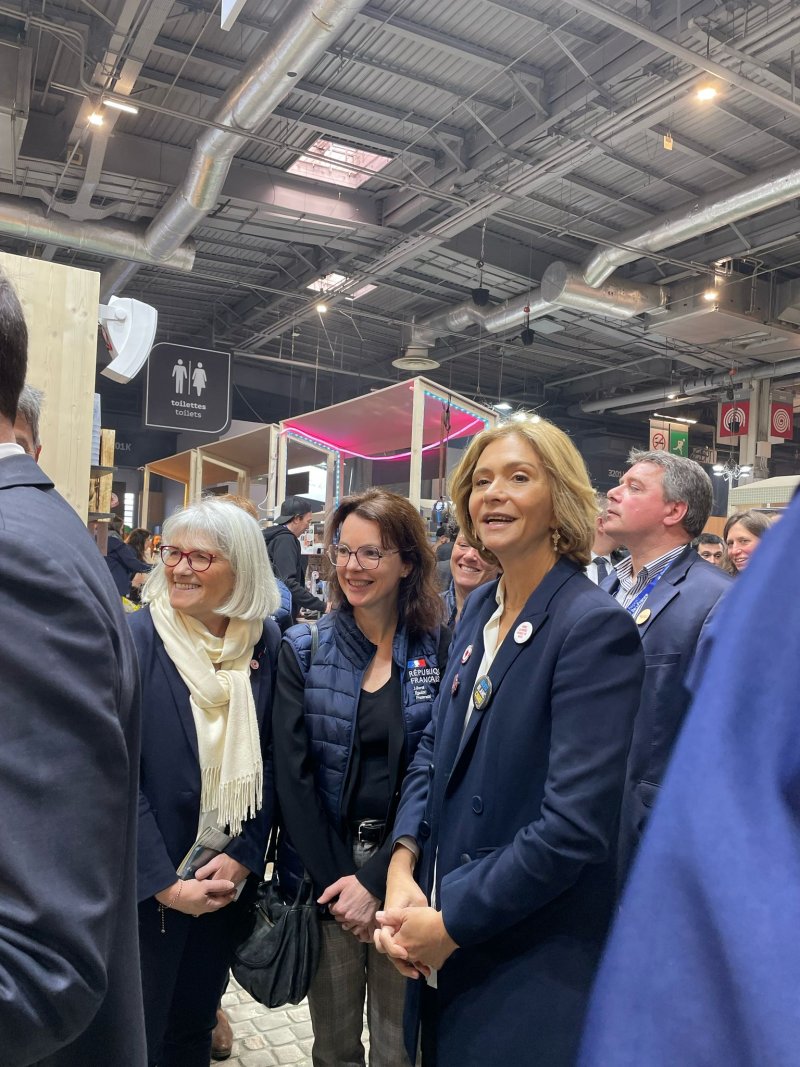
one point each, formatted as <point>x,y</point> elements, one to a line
<point>207,662</point>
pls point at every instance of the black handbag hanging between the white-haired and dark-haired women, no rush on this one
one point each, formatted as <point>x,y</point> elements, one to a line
<point>279,959</point>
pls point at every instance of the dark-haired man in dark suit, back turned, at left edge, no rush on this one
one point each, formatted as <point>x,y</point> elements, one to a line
<point>69,772</point>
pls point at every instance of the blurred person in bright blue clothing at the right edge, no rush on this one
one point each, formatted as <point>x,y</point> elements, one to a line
<point>703,966</point>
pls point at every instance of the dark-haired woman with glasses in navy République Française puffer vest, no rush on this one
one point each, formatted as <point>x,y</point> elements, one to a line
<point>346,727</point>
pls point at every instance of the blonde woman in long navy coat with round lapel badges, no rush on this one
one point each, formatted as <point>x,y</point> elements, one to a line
<point>510,809</point>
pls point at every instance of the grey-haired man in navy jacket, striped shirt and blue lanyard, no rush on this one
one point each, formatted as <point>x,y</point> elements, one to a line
<point>662,503</point>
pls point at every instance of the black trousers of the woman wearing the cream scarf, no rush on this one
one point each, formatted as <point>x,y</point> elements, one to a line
<point>184,976</point>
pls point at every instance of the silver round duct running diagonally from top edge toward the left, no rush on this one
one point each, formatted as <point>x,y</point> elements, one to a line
<point>291,52</point>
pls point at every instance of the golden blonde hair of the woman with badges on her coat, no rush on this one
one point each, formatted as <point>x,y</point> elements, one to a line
<point>574,501</point>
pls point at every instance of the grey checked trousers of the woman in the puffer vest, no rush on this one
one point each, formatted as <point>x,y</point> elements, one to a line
<point>348,970</point>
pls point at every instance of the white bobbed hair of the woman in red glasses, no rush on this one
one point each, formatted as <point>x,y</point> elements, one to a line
<point>225,528</point>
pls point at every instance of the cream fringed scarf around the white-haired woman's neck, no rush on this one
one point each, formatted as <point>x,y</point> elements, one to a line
<point>232,773</point>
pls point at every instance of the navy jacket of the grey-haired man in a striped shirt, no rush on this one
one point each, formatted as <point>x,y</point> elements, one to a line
<point>681,607</point>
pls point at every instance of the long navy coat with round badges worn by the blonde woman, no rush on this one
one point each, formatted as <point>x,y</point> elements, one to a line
<point>521,813</point>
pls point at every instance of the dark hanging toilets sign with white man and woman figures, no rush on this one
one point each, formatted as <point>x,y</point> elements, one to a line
<point>188,389</point>
